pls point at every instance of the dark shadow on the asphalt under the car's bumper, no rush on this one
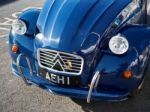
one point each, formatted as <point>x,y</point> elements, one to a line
<point>140,103</point>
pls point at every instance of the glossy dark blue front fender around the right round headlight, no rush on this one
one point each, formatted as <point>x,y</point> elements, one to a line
<point>112,66</point>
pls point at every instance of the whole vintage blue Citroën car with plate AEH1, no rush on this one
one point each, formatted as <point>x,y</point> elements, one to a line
<point>87,49</point>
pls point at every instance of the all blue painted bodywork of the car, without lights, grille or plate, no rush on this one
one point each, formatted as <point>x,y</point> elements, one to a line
<point>67,26</point>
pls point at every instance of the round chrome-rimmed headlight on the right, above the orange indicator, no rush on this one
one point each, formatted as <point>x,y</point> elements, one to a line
<point>118,44</point>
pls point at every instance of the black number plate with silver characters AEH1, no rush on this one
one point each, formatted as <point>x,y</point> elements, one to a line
<point>66,80</point>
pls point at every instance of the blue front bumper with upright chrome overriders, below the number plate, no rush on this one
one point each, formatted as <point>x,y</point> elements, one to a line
<point>30,77</point>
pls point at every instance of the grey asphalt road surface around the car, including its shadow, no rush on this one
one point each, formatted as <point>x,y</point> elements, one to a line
<point>15,96</point>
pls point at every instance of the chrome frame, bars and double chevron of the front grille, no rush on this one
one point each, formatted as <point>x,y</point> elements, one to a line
<point>76,63</point>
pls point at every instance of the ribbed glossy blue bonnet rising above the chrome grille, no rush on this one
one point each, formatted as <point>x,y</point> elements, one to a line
<point>59,38</point>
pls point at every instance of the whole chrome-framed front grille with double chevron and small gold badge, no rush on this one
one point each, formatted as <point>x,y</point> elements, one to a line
<point>60,62</point>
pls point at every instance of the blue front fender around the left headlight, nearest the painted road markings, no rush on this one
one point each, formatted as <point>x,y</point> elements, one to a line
<point>25,44</point>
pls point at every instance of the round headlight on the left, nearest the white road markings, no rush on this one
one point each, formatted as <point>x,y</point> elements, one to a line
<point>19,27</point>
